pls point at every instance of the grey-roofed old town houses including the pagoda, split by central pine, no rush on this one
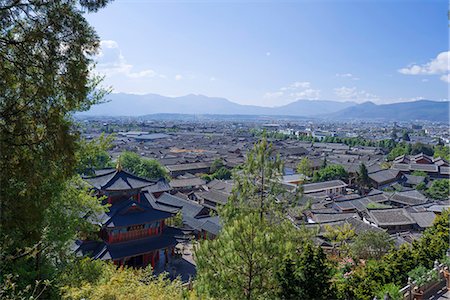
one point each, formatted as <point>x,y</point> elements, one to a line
<point>149,219</point>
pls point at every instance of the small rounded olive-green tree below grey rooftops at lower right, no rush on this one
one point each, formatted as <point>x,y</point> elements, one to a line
<point>371,244</point>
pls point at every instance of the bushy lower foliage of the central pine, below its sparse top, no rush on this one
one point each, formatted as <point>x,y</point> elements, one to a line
<point>241,261</point>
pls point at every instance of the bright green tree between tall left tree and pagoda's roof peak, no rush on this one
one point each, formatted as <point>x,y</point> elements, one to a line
<point>93,155</point>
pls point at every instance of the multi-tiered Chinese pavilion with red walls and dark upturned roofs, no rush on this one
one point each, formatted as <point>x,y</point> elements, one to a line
<point>134,232</point>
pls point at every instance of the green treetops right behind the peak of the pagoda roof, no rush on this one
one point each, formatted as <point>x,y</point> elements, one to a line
<point>143,167</point>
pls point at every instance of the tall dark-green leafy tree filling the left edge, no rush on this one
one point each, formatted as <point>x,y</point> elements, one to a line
<point>45,62</point>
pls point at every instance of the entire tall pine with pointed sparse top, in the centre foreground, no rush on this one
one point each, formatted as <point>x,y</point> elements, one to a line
<point>242,261</point>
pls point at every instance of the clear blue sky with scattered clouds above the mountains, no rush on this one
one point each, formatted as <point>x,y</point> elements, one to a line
<point>273,52</point>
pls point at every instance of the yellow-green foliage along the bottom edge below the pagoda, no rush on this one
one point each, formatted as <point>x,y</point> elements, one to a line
<point>97,280</point>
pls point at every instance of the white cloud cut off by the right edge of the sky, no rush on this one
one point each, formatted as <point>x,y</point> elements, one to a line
<point>438,65</point>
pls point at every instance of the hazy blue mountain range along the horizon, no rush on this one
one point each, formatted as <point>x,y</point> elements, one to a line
<point>138,105</point>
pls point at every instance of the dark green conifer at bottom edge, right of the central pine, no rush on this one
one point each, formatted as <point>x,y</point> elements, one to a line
<point>306,275</point>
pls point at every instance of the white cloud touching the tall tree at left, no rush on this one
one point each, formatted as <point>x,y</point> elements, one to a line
<point>110,62</point>
